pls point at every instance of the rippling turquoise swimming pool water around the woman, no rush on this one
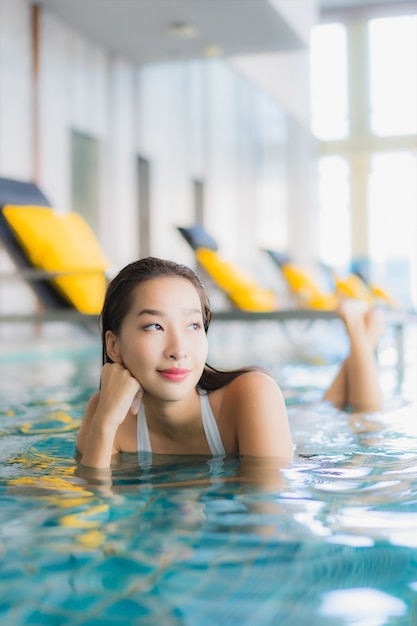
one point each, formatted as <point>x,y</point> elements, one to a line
<point>332,541</point>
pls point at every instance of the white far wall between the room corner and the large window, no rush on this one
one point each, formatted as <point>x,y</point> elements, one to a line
<point>204,120</point>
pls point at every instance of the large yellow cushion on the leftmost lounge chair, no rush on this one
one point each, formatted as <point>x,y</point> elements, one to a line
<point>62,243</point>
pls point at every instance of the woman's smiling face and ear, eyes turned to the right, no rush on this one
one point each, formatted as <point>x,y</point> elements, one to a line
<point>162,341</point>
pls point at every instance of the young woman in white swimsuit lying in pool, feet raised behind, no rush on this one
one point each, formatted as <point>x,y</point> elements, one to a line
<point>159,395</point>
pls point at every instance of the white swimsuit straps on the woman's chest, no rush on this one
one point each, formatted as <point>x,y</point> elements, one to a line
<point>209,424</point>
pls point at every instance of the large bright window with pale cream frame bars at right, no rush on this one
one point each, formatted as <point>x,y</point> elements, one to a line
<point>367,169</point>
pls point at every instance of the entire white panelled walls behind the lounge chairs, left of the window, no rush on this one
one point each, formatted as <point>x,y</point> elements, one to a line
<point>222,122</point>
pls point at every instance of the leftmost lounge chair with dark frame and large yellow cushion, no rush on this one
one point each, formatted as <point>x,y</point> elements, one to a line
<point>57,255</point>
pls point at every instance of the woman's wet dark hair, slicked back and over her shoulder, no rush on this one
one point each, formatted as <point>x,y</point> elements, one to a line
<point>118,301</point>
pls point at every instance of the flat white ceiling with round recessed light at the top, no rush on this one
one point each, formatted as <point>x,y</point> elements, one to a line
<point>138,29</point>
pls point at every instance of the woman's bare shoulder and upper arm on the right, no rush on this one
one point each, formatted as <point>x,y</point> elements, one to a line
<point>260,416</point>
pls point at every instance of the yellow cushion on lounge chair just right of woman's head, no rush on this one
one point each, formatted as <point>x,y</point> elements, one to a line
<point>241,289</point>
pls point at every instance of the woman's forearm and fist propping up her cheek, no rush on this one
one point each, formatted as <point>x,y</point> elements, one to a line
<point>105,411</point>
